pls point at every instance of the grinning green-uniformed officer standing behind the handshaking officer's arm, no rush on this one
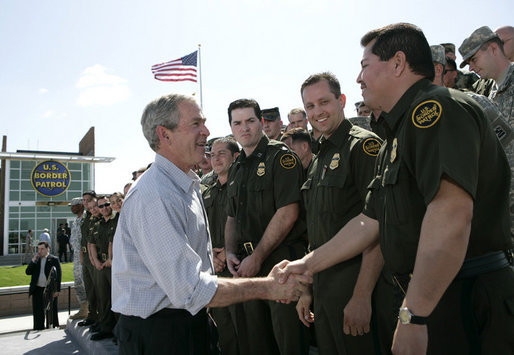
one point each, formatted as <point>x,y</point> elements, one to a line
<point>334,193</point>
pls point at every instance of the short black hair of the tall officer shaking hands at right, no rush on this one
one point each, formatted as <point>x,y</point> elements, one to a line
<point>406,38</point>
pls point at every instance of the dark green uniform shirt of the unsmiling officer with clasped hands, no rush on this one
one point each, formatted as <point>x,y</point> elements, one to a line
<point>260,184</point>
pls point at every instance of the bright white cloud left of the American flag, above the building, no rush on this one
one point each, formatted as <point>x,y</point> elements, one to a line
<point>100,88</point>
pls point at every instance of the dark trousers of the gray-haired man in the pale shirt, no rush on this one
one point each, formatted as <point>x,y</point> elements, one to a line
<point>167,332</point>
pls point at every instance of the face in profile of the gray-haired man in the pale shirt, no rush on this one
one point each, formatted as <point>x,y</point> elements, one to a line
<point>186,144</point>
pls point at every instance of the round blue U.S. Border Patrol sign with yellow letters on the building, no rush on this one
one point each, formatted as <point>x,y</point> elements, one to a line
<point>50,178</point>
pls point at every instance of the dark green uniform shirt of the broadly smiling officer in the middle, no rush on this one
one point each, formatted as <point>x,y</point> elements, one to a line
<point>337,180</point>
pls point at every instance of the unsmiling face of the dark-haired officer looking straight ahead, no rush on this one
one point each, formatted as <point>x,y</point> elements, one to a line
<point>246,128</point>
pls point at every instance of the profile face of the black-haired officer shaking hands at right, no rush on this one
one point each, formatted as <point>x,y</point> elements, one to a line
<point>373,79</point>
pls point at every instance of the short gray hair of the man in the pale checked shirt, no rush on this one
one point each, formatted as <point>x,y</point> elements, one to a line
<point>161,112</point>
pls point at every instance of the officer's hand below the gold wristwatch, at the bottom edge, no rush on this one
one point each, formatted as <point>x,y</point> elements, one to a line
<point>410,339</point>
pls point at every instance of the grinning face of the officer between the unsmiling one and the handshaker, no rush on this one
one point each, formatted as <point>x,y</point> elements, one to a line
<point>324,109</point>
